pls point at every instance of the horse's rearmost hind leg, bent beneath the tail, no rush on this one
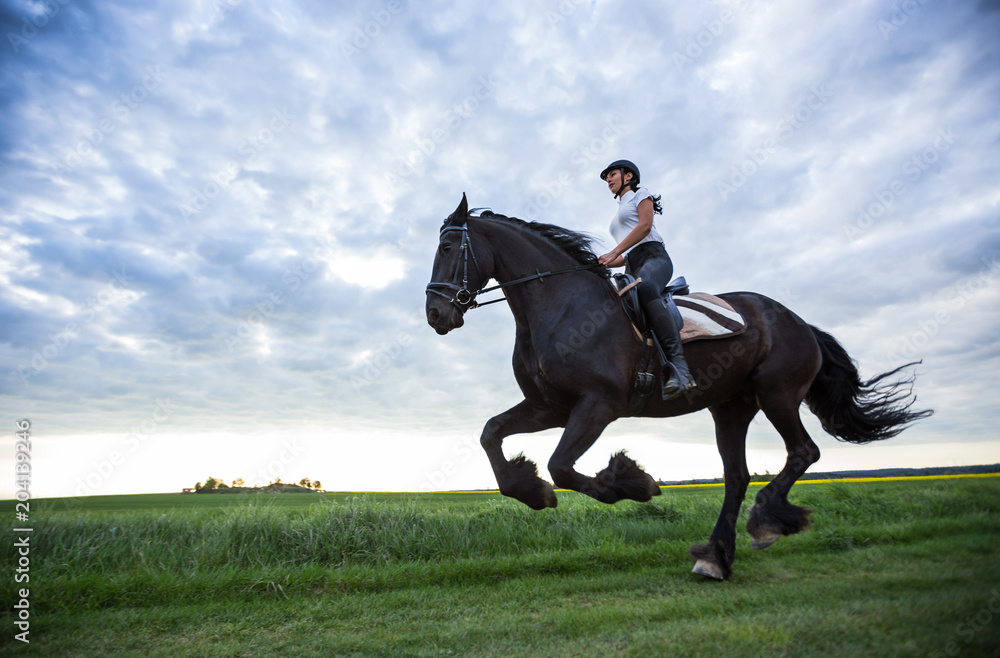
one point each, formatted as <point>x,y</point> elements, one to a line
<point>772,516</point>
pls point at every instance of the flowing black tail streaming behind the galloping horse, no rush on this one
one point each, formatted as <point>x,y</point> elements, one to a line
<point>856,411</point>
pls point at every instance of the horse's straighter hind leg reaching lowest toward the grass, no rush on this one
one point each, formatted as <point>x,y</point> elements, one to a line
<point>715,559</point>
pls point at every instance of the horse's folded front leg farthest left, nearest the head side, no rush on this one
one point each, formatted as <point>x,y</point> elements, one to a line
<point>518,477</point>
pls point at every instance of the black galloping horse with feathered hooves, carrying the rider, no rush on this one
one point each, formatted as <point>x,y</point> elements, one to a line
<point>576,357</point>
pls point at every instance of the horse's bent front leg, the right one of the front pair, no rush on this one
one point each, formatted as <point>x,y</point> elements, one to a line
<point>622,479</point>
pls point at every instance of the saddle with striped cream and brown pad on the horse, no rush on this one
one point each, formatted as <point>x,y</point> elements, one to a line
<point>705,317</point>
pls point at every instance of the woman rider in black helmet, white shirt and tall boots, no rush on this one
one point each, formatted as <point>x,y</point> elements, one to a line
<point>641,249</point>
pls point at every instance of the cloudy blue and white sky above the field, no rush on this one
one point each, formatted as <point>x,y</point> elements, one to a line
<point>217,220</point>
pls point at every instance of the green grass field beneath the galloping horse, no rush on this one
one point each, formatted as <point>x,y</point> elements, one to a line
<point>901,568</point>
